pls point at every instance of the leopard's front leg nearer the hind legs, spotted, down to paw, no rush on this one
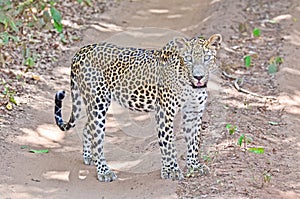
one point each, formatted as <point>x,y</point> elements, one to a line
<point>170,168</point>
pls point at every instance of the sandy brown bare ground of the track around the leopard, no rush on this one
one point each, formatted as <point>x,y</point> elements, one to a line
<point>131,147</point>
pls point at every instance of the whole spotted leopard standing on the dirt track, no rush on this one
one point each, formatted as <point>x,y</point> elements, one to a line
<point>167,81</point>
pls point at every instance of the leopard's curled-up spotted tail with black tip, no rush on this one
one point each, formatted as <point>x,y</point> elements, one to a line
<point>76,109</point>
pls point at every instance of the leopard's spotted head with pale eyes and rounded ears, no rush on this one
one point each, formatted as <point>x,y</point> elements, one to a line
<point>199,56</point>
